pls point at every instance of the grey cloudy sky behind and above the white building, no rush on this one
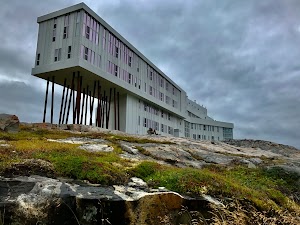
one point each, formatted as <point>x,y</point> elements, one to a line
<point>240,59</point>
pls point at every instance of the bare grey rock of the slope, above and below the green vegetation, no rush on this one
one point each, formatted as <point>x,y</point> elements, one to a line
<point>31,191</point>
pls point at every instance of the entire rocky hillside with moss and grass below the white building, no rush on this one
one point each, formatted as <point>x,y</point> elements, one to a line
<point>159,180</point>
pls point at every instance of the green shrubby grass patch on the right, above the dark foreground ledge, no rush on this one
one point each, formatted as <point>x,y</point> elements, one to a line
<point>267,190</point>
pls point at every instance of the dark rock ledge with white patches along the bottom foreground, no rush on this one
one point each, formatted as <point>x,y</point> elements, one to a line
<point>41,200</point>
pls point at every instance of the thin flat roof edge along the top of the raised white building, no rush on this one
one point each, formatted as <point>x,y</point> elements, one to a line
<point>83,6</point>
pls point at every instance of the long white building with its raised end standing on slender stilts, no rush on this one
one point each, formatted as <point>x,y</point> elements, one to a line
<point>108,83</point>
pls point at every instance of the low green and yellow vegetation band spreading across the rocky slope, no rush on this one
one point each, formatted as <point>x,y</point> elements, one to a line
<point>271,191</point>
